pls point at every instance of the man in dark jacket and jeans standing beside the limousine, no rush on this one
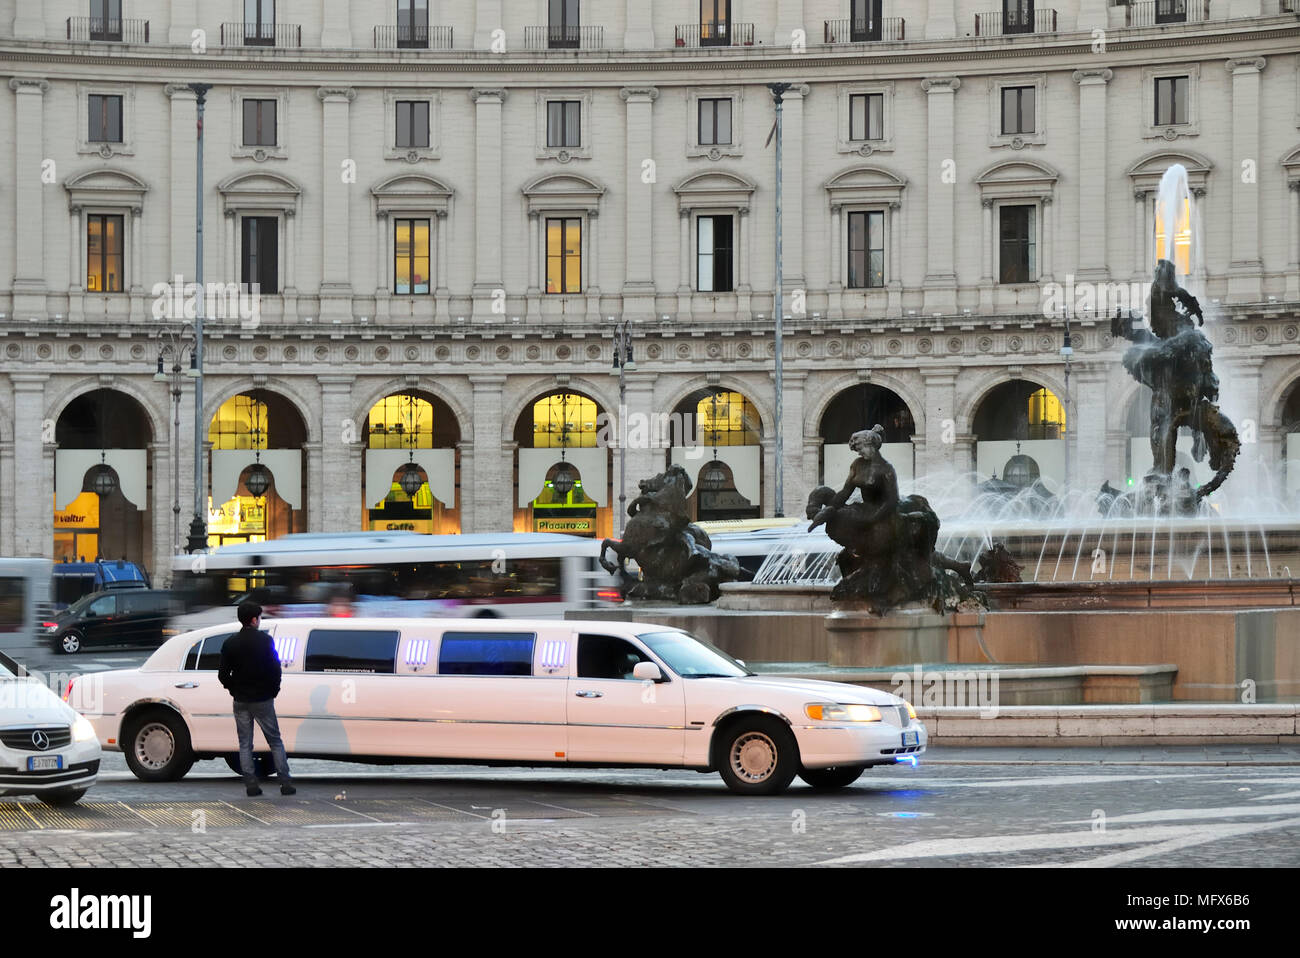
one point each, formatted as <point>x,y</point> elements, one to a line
<point>250,671</point>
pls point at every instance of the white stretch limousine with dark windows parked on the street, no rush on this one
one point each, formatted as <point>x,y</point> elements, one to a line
<point>525,693</point>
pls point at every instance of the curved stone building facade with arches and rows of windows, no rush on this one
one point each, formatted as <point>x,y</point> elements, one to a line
<point>463,201</point>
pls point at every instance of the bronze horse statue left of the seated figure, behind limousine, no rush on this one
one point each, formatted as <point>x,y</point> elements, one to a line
<point>674,554</point>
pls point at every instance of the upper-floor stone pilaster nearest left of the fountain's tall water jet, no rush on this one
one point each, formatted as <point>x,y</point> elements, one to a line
<point>1093,161</point>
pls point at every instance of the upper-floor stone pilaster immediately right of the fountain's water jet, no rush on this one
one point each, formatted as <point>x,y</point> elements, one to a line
<point>1245,280</point>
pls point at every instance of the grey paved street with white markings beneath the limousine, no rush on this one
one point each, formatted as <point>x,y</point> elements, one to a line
<point>939,814</point>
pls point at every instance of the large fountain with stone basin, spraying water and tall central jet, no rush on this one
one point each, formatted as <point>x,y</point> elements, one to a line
<point>1168,592</point>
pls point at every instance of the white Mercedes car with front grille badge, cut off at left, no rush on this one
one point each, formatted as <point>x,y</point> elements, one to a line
<point>46,748</point>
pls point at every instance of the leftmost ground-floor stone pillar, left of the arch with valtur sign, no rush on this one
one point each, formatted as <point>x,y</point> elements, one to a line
<point>33,470</point>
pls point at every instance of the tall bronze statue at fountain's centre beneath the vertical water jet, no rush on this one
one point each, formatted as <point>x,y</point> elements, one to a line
<point>1173,358</point>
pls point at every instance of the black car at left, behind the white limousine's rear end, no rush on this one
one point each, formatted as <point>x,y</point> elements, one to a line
<point>119,617</point>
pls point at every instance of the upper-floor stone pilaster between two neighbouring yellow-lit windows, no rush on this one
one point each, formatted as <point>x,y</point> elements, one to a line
<point>489,205</point>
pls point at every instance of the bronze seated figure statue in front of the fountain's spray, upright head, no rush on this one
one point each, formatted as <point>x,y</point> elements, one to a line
<point>889,556</point>
